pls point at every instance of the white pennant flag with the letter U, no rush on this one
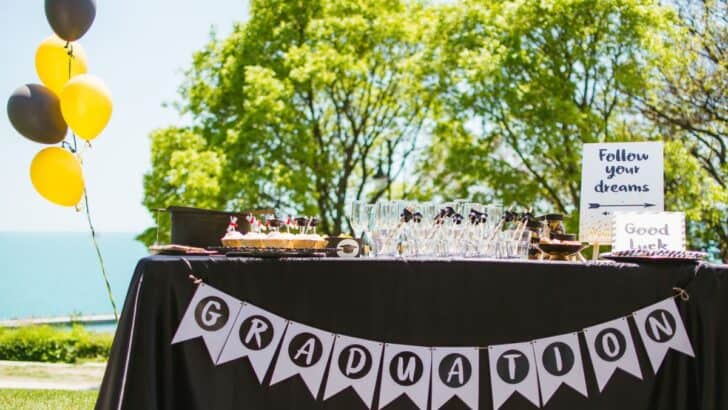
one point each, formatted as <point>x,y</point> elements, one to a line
<point>405,370</point>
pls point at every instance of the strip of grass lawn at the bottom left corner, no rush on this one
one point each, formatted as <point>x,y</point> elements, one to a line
<point>11,399</point>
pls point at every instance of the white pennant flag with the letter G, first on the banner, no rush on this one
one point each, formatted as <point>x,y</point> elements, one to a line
<point>210,314</point>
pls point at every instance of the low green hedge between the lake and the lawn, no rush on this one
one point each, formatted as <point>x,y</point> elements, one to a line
<point>48,344</point>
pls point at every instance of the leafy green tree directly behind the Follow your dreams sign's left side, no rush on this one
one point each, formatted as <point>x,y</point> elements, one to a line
<point>531,81</point>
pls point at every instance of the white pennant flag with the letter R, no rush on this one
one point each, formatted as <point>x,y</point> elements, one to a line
<point>256,335</point>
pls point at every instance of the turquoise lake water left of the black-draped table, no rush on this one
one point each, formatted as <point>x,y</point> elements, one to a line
<point>57,274</point>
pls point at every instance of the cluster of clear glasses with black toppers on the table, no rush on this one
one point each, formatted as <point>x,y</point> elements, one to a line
<point>440,229</point>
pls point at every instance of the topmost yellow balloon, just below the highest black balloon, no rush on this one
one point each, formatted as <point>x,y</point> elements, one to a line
<point>51,63</point>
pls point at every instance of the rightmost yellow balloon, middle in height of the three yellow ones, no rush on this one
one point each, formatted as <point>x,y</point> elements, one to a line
<point>86,105</point>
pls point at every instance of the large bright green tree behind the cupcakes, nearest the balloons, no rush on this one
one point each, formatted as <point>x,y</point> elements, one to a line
<point>298,108</point>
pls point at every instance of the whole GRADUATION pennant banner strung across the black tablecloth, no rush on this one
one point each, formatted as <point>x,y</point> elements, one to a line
<point>232,329</point>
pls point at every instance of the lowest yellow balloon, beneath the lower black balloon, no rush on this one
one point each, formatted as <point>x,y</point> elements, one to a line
<point>56,175</point>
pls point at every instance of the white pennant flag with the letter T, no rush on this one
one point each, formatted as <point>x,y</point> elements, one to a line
<point>513,369</point>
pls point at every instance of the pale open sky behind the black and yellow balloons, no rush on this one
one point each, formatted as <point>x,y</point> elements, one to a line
<point>139,48</point>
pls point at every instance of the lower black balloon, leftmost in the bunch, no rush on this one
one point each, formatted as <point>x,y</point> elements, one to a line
<point>35,111</point>
